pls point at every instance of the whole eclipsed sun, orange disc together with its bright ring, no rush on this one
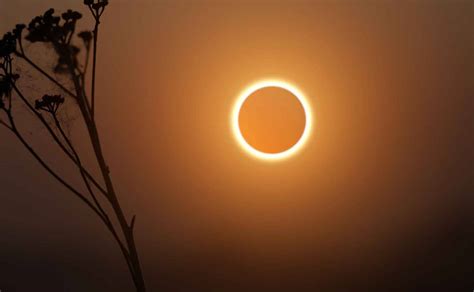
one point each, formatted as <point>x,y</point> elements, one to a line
<point>271,120</point>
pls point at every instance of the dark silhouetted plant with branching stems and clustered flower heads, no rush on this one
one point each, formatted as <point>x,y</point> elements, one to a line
<point>59,31</point>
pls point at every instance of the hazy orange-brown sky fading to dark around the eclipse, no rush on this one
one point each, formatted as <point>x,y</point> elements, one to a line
<point>381,196</point>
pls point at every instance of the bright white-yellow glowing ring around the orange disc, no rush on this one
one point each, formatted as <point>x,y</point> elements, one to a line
<point>235,119</point>
